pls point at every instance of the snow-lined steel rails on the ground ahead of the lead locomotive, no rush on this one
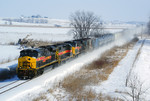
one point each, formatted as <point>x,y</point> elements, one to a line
<point>12,85</point>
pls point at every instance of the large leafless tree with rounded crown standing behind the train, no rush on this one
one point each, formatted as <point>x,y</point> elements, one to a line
<point>84,24</point>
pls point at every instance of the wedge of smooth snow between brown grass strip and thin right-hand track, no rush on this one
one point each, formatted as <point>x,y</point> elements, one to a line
<point>117,78</point>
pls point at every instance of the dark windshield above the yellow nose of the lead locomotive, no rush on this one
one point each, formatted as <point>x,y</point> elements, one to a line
<point>29,52</point>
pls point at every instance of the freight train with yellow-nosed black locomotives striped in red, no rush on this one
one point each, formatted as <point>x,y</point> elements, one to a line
<point>33,62</point>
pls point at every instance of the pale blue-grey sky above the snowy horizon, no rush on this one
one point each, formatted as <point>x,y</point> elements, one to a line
<point>108,10</point>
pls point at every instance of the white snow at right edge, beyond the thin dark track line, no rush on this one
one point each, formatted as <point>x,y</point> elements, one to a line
<point>142,68</point>
